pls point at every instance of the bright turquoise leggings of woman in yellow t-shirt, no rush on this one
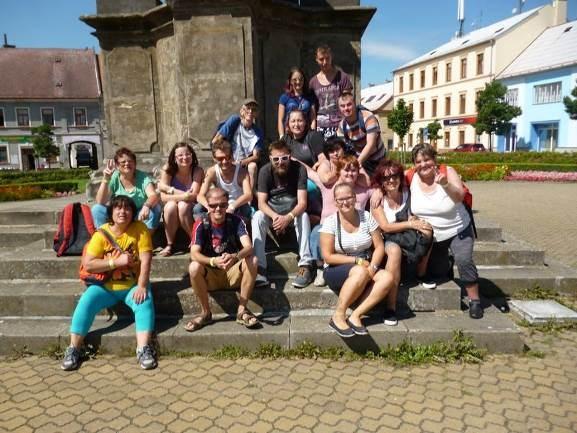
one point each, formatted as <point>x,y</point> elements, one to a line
<point>97,298</point>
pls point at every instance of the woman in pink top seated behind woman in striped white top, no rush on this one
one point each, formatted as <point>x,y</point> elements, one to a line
<point>348,170</point>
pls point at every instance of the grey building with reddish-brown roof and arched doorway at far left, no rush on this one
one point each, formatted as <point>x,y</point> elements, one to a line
<point>58,87</point>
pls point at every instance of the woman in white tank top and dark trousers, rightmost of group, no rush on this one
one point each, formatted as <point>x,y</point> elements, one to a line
<point>437,197</point>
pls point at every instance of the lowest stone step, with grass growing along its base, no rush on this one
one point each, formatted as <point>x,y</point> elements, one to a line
<point>495,332</point>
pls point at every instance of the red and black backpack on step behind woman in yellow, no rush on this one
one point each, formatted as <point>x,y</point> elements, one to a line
<point>75,228</point>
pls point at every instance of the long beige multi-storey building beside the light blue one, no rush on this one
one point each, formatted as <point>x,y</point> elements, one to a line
<point>443,84</point>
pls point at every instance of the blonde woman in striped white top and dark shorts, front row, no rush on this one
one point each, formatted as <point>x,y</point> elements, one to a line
<point>353,249</point>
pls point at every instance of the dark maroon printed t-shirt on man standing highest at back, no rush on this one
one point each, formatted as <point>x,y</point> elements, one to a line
<point>328,114</point>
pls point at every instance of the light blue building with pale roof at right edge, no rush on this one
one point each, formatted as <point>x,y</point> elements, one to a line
<point>537,81</point>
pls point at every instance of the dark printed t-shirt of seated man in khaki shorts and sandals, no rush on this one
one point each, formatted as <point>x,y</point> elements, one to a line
<point>218,235</point>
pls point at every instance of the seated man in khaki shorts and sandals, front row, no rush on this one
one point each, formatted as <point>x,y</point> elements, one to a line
<point>222,258</point>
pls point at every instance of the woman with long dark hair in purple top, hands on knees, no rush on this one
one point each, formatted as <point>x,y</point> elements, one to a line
<point>179,185</point>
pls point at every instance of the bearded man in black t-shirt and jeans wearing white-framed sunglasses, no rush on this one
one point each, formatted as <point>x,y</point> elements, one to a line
<point>282,202</point>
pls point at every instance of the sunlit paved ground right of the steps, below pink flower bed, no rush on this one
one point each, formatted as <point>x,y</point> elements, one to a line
<point>543,214</point>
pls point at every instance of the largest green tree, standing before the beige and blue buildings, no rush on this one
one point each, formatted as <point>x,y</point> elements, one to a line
<point>494,113</point>
